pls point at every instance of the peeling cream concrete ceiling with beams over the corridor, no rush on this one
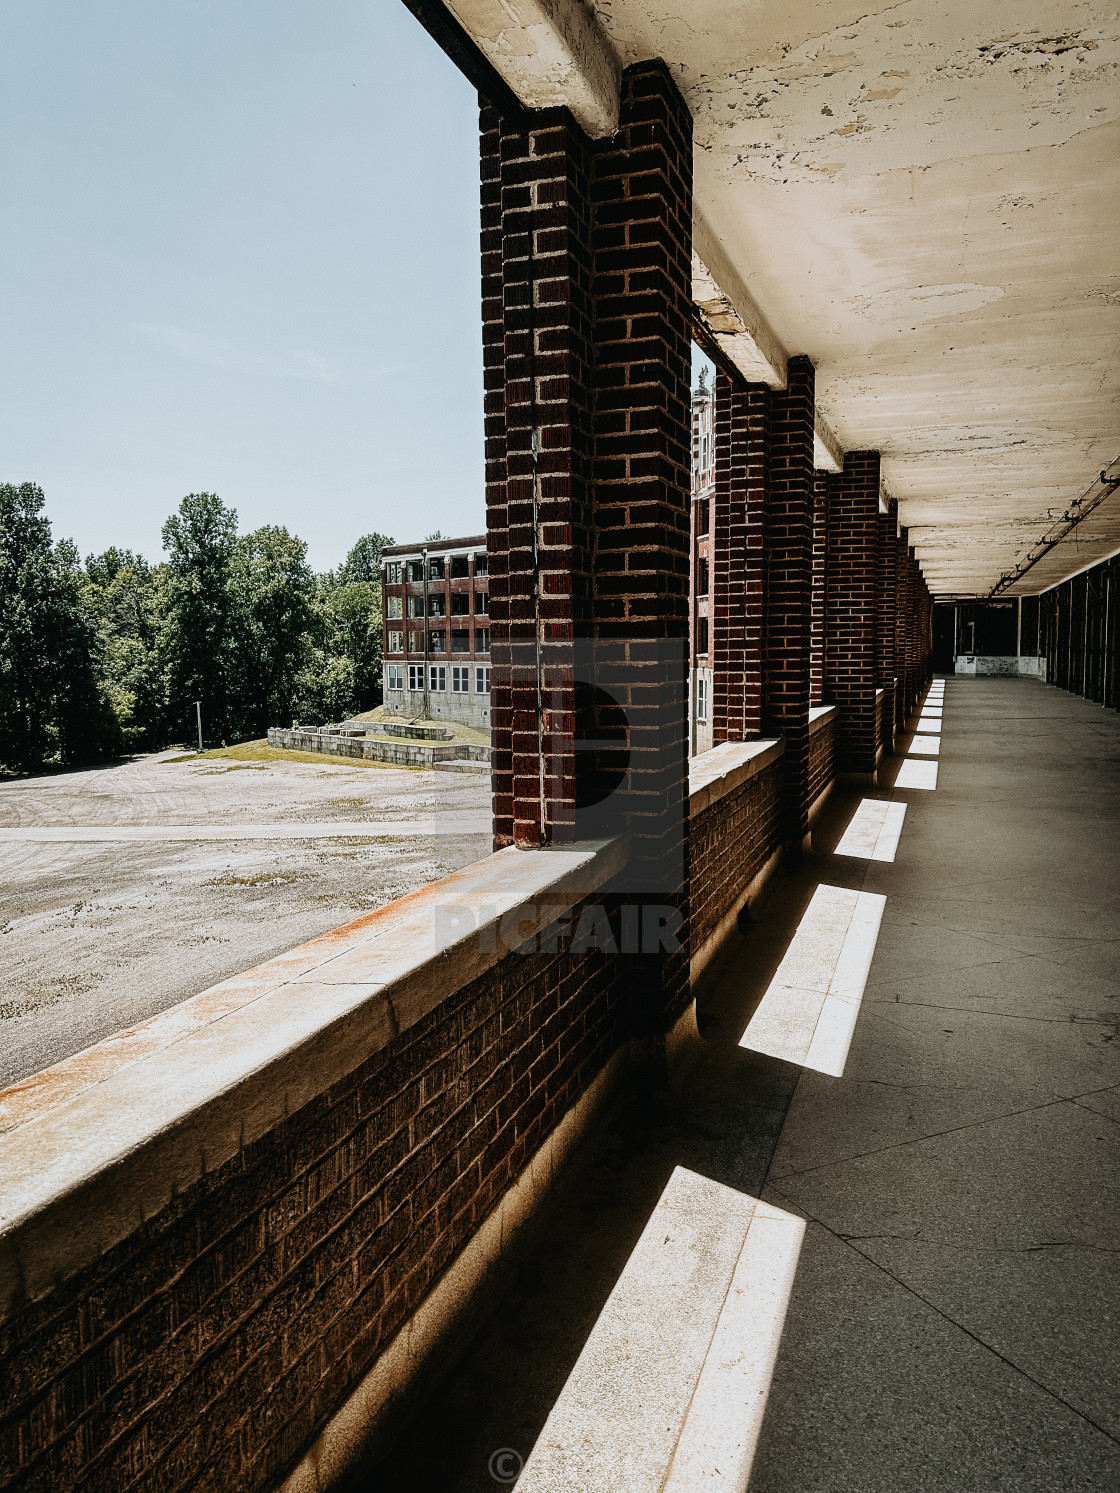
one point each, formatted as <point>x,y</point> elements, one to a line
<point>922,198</point>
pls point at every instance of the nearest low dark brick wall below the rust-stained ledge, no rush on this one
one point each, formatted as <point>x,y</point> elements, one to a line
<point>208,1349</point>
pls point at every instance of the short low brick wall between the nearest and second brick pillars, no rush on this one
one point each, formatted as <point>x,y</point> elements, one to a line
<point>731,843</point>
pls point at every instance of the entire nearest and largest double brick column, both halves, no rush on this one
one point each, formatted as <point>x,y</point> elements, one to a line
<point>588,316</point>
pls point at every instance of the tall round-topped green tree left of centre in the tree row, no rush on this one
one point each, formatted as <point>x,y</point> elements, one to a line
<point>198,637</point>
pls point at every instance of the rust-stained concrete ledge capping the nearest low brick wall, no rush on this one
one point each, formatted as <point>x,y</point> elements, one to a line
<point>104,1141</point>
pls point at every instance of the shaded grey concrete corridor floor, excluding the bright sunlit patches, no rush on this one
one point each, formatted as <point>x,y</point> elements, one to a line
<point>955,1309</point>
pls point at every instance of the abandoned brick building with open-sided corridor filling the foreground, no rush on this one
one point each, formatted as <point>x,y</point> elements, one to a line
<point>744,1120</point>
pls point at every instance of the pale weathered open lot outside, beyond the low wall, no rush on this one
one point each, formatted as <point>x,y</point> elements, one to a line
<point>96,937</point>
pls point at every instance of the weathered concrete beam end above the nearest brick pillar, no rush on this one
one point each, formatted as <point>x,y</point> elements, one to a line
<point>552,53</point>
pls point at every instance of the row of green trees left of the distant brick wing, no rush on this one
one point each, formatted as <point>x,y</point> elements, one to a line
<point>110,656</point>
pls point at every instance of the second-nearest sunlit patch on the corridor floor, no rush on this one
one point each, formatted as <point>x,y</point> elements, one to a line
<point>810,1010</point>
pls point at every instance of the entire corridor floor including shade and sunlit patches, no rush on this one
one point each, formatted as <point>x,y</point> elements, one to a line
<point>927,1295</point>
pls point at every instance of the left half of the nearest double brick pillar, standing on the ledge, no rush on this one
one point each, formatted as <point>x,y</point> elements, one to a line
<point>538,422</point>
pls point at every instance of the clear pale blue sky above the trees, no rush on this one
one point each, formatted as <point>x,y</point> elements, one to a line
<point>238,253</point>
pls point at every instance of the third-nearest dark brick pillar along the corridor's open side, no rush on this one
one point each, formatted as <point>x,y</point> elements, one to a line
<point>850,610</point>
